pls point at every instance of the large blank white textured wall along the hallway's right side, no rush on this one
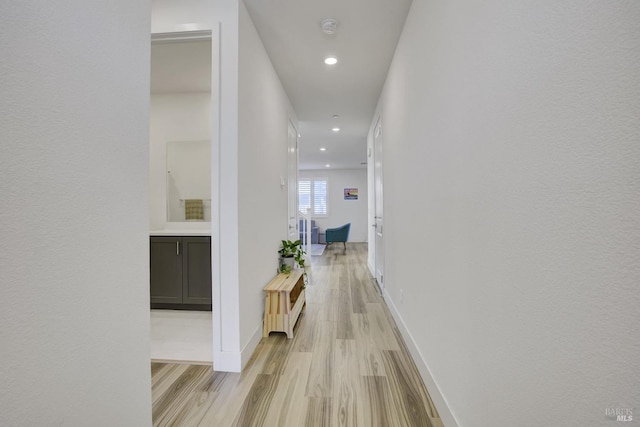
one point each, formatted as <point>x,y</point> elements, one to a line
<point>512,194</point>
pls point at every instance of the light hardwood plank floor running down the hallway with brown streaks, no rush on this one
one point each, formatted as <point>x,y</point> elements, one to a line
<point>346,366</point>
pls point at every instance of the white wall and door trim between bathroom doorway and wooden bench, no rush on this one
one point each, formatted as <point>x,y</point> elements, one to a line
<point>249,114</point>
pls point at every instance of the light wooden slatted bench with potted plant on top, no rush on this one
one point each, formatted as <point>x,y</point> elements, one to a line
<point>284,303</point>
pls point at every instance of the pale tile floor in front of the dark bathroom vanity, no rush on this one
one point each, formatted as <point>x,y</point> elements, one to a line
<point>181,336</point>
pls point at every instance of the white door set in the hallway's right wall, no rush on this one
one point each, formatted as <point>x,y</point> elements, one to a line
<point>378,219</point>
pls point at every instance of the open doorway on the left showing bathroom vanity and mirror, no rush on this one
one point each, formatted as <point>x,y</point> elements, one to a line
<point>179,149</point>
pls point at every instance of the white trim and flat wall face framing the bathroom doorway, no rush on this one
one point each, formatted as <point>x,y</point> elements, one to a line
<point>221,17</point>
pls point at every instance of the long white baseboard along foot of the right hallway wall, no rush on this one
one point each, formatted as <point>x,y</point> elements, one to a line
<point>434,391</point>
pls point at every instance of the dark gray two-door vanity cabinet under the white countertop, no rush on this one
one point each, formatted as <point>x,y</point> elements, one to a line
<point>180,272</point>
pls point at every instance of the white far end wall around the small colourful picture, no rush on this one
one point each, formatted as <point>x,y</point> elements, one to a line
<point>344,211</point>
